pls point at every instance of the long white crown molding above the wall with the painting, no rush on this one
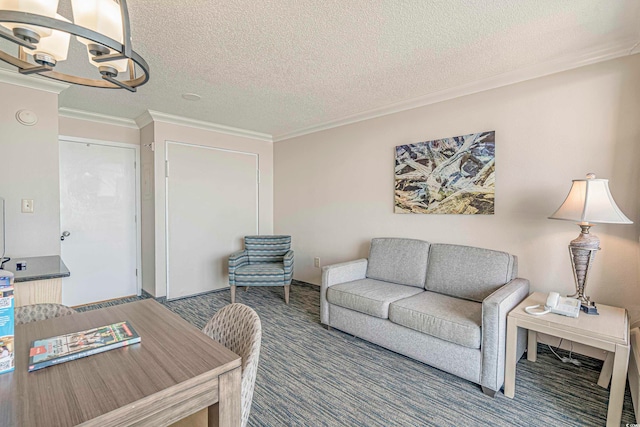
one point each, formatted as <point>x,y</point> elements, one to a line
<point>567,62</point>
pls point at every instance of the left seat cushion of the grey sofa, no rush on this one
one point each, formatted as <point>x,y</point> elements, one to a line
<point>369,296</point>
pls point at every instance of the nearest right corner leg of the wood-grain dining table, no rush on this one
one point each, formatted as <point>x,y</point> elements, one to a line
<point>228,411</point>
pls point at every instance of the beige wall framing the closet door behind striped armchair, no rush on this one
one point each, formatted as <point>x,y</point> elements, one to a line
<point>171,132</point>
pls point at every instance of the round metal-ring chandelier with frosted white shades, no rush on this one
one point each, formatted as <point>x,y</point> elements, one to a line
<point>42,37</point>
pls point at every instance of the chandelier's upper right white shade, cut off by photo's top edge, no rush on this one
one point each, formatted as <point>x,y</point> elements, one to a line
<point>101,16</point>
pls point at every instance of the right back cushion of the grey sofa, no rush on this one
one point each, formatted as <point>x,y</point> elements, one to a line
<point>468,272</point>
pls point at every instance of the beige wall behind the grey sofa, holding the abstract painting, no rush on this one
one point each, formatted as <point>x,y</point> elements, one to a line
<point>334,190</point>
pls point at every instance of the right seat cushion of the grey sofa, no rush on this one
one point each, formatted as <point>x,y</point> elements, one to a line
<point>451,319</point>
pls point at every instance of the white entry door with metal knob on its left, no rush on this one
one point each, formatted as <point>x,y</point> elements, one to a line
<point>98,210</point>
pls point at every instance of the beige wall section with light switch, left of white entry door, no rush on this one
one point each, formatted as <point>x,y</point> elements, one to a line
<point>29,170</point>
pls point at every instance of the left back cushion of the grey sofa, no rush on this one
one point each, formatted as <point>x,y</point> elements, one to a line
<point>402,261</point>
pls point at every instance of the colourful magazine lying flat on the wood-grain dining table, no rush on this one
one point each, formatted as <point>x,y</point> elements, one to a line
<point>63,348</point>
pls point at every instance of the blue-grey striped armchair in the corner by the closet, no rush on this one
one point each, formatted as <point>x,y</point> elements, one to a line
<point>265,261</point>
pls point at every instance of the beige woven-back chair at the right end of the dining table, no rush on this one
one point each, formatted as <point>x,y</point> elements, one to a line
<point>238,328</point>
